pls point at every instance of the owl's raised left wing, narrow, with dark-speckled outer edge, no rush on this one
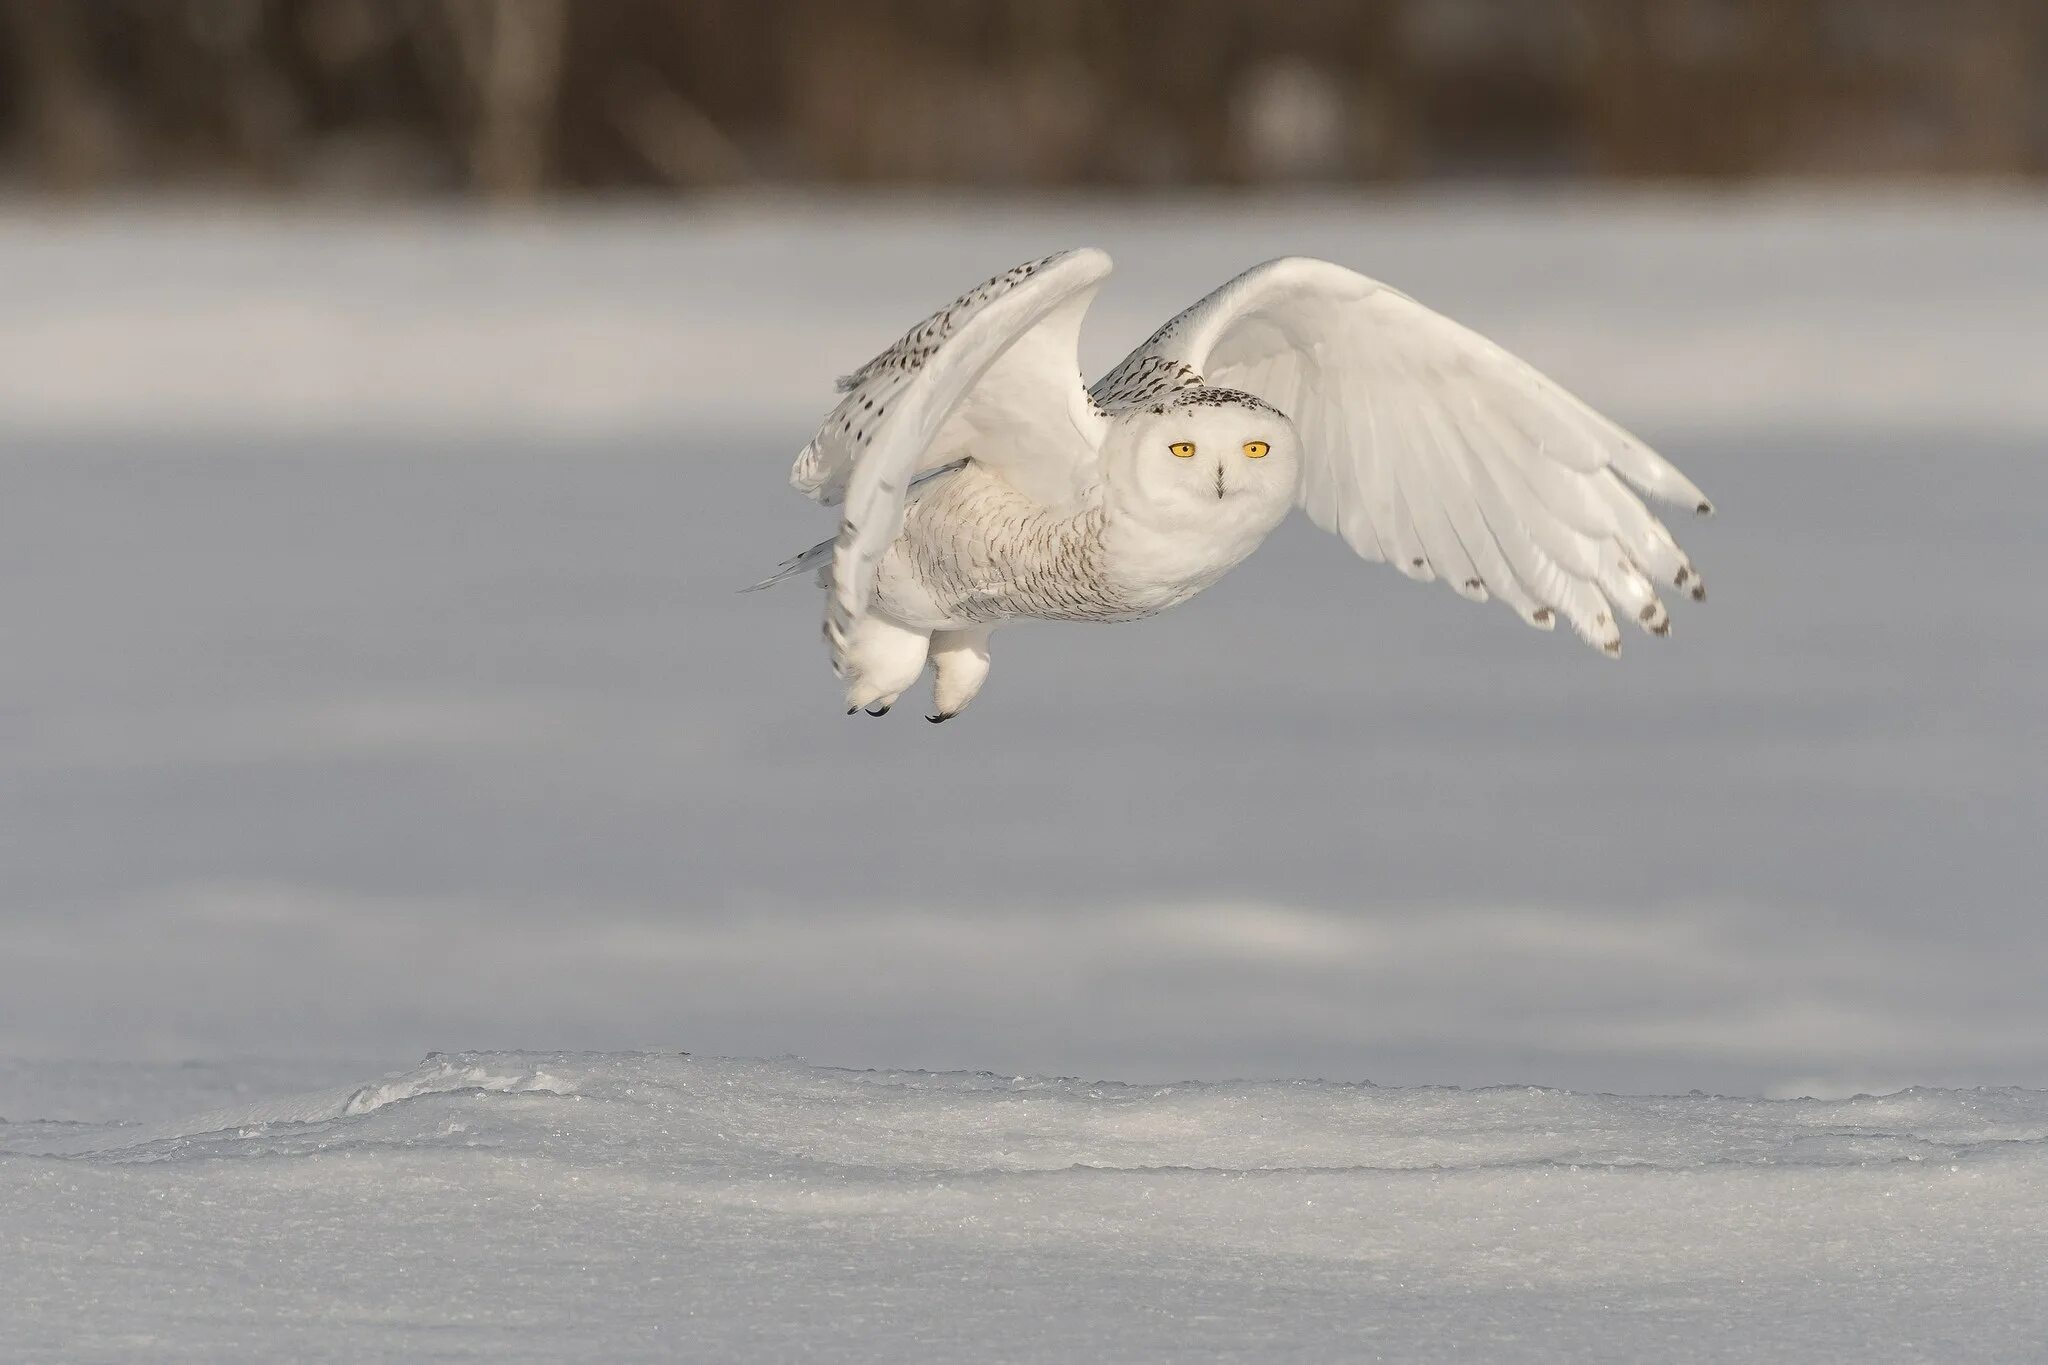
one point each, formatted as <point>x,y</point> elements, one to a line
<point>990,378</point>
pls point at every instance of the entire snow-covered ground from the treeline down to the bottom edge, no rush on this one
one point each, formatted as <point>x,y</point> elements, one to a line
<point>374,685</point>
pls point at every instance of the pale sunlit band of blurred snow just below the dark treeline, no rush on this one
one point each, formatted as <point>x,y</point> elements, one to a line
<point>1689,310</point>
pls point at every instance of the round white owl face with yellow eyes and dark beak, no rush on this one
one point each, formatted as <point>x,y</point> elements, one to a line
<point>1211,455</point>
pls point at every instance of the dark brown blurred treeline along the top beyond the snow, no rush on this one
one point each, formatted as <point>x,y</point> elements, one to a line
<point>531,97</point>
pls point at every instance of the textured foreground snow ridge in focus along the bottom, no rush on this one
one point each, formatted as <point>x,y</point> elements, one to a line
<point>658,1206</point>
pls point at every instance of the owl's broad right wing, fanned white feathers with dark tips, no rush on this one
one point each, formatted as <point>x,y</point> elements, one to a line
<point>1433,449</point>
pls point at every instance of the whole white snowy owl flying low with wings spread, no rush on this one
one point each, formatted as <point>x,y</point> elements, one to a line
<point>984,484</point>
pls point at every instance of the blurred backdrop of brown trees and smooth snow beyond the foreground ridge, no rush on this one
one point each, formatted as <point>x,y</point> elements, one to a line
<point>396,394</point>
